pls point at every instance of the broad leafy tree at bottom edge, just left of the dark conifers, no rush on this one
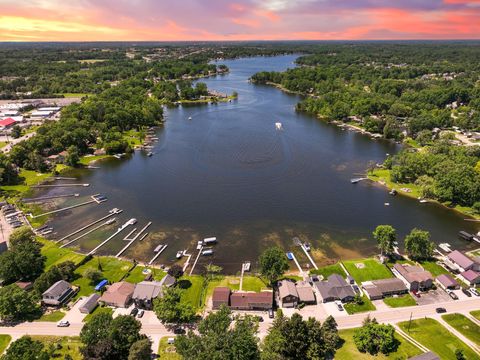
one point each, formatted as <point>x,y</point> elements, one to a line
<point>218,339</point>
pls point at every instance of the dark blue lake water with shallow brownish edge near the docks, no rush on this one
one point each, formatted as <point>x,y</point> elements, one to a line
<point>229,173</point>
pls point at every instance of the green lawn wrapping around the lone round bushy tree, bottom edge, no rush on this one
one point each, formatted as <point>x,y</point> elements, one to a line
<point>348,350</point>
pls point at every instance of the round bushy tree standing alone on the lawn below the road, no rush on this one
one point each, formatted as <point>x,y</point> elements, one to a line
<point>374,338</point>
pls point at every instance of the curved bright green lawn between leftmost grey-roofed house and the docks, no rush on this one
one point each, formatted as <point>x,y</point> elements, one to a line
<point>113,270</point>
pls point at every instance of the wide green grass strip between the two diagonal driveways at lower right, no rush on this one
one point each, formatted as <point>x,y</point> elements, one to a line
<point>431,334</point>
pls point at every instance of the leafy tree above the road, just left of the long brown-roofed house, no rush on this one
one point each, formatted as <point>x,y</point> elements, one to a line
<point>170,309</point>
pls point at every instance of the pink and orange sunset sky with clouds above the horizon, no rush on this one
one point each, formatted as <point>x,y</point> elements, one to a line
<point>175,20</point>
